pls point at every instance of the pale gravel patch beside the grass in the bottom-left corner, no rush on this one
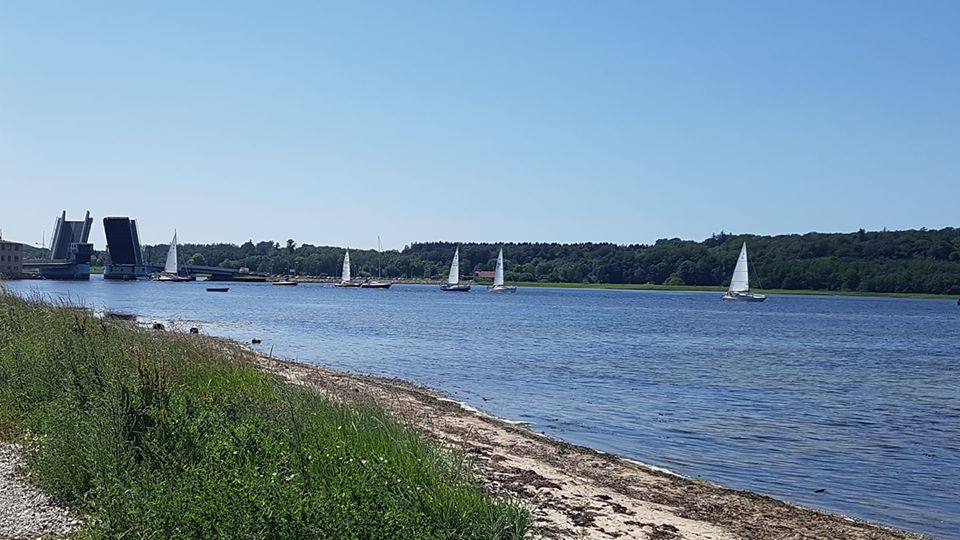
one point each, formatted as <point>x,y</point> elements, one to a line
<point>25,512</point>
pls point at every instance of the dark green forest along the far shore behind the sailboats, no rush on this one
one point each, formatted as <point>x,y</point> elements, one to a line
<point>915,261</point>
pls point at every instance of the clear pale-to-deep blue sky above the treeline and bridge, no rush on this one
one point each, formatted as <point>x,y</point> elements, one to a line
<point>331,123</point>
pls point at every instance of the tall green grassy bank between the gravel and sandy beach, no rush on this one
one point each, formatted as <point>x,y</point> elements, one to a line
<point>168,435</point>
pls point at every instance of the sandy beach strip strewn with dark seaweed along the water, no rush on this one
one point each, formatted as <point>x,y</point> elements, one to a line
<point>573,491</point>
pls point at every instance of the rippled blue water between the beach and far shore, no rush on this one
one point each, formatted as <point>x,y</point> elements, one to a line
<point>857,396</point>
